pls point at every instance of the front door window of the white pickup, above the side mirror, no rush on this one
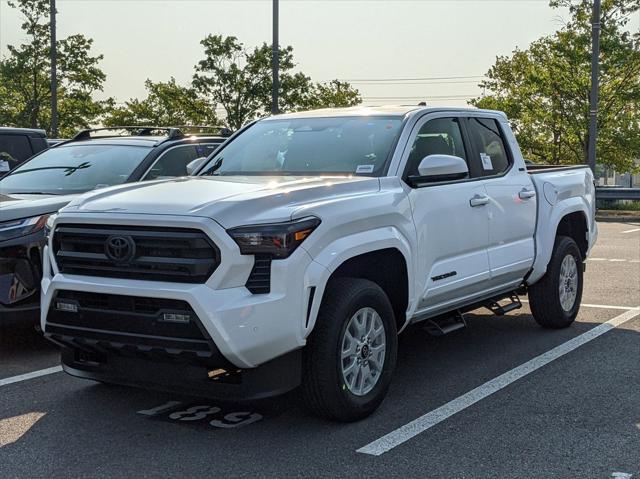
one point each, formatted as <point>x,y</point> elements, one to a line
<point>441,136</point>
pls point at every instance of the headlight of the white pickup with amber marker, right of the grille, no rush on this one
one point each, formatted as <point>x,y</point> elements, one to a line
<point>278,240</point>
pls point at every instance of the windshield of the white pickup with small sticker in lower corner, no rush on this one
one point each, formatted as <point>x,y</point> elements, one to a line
<point>309,146</point>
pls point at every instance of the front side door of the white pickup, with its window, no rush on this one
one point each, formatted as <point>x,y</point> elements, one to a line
<point>451,220</point>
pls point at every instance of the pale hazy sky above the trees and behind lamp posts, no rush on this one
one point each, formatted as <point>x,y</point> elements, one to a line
<point>445,45</point>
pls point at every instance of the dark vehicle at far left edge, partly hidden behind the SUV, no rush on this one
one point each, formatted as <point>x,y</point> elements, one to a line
<point>18,145</point>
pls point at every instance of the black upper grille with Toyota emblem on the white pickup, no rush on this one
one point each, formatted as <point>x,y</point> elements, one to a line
<point>160,254</point>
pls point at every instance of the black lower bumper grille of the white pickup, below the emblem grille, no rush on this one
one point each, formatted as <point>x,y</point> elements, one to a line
<point>129,325</point>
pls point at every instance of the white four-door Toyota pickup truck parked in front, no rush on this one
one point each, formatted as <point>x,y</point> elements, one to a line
<point>304,245</point>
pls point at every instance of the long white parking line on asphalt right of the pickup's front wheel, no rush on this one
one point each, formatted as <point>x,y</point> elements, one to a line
<point>427,421</point>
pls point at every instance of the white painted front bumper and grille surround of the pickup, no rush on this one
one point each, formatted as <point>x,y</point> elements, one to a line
<point>247,329</point>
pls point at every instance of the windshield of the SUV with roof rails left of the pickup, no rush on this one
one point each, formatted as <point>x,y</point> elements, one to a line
<point>75,169</point>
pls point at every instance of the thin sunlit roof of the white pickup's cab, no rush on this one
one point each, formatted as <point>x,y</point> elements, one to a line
<point>391,110</point>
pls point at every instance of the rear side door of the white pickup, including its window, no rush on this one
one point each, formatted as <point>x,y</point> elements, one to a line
<point>512,207</point>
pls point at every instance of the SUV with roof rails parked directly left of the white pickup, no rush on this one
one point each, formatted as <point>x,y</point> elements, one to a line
<point>93,159</point>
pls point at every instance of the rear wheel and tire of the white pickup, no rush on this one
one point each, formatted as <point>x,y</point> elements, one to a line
<point>545,296</point>
